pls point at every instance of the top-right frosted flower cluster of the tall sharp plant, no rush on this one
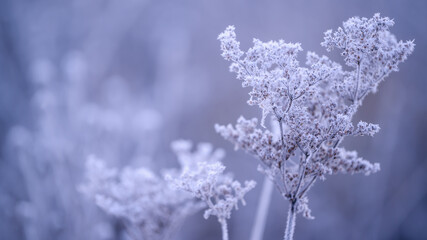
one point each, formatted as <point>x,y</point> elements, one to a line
<point>368,46</point>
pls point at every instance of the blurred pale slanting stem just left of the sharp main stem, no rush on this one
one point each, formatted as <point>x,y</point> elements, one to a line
<point>262,211</point>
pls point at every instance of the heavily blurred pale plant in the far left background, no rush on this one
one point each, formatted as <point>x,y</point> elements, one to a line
<point>71,120</point>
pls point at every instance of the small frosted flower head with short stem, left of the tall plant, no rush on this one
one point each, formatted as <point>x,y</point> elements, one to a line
<point>203,176</point>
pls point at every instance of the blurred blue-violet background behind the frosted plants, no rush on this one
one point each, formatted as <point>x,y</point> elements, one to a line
<point>123,78</point>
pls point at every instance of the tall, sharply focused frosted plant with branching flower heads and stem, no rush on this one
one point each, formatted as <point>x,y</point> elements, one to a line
<point>312,107</point>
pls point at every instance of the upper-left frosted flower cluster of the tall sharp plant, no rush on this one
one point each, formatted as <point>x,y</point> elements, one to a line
<point>270,69</point>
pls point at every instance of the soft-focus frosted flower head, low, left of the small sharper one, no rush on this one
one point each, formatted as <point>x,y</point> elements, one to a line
<point>149,206</point>
